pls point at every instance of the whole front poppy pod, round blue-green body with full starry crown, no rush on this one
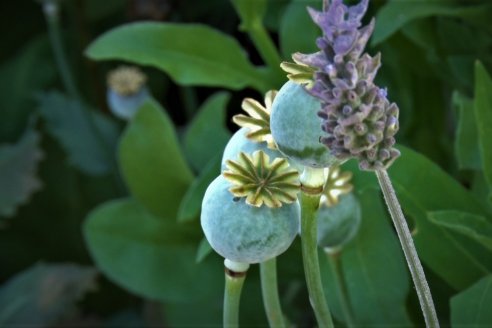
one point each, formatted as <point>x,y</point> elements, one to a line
<point>256,217</point>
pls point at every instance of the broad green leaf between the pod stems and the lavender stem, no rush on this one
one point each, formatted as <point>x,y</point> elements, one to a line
<point>374,271</point>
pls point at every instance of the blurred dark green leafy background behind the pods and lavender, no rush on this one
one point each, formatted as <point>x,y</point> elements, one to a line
<point>99,217</point>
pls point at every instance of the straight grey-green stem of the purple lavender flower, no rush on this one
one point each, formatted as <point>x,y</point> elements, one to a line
<point>409,250</point>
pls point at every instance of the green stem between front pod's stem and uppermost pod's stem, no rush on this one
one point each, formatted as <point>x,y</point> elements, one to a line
<point>269,290</point>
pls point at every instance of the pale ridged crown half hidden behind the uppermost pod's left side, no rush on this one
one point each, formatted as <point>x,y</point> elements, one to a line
<point>258,119</point>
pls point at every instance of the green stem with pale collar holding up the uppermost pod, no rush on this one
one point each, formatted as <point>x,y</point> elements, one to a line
<point>313,181</point>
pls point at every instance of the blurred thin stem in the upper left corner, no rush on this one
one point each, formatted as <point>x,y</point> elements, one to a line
<point>51,12</point>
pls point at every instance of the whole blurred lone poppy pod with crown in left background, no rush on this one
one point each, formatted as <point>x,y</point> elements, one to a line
<point>126,91</point>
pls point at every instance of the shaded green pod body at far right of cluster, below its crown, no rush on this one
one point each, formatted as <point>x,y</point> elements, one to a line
<point>338,224</point>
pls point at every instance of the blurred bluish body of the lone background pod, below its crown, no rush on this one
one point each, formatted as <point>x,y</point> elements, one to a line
<point>125,106</point>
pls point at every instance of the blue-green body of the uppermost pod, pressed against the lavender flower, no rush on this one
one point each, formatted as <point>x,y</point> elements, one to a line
<point>296,127</point>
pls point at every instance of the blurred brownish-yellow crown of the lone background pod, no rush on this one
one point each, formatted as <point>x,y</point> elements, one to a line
<point>126,80</point>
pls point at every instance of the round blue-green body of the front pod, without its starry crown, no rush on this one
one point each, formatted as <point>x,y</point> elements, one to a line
<point>244,233</point>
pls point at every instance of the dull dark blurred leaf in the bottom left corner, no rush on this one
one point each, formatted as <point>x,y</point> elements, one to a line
<point>43,294</point>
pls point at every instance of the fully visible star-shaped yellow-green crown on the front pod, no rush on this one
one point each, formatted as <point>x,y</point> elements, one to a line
<point>262,182</point>
